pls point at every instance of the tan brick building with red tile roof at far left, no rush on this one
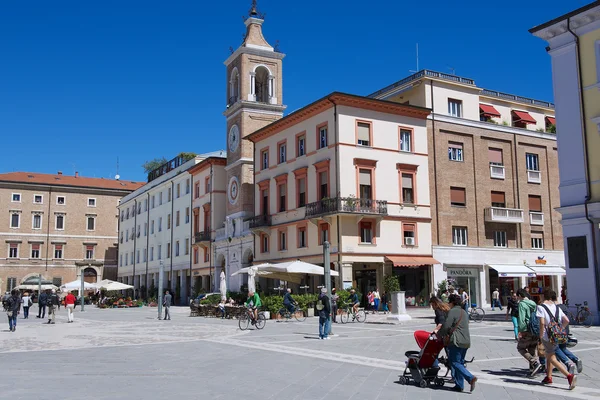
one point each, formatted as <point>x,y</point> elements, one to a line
<point>57,225</point>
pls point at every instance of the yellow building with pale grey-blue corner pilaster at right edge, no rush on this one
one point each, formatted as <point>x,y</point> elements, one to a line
<point>574,46</point>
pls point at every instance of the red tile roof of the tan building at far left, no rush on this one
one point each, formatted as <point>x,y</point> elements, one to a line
<point>69,180</point>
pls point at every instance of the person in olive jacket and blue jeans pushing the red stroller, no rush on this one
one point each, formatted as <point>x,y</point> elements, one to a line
<point>455,331</point>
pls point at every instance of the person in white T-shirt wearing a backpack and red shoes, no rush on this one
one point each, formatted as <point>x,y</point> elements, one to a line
<point>553,324</point>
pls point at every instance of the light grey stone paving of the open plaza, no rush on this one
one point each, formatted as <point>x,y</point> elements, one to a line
<point>129,354</point>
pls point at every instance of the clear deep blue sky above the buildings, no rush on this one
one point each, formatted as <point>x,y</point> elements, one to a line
<point>82,83</point>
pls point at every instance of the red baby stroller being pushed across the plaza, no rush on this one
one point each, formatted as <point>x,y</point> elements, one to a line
<point>423,366</point>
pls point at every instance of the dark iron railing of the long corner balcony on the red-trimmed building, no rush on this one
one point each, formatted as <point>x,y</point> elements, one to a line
<point>346,205</point>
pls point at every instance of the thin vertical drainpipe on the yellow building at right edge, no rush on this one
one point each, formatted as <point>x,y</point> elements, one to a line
<point>586,159</point>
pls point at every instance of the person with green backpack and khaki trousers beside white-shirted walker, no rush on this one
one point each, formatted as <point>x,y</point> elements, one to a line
<point>528,331</point>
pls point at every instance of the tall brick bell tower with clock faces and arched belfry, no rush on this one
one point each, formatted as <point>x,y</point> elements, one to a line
<point>254,95</point>
